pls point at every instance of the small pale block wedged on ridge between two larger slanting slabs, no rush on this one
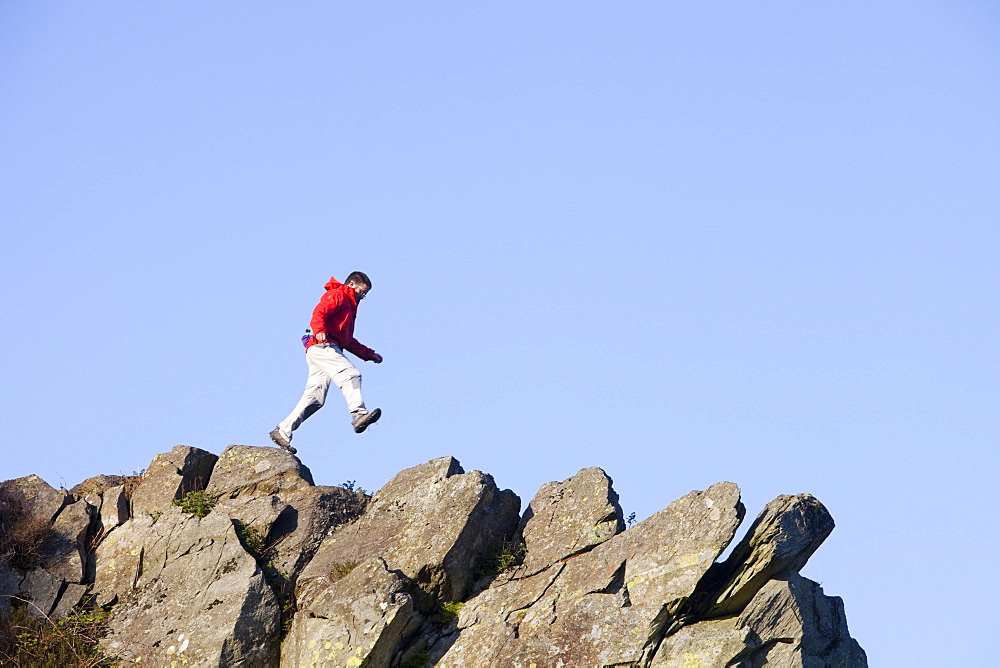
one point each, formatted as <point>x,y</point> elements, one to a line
<point>569,517</point>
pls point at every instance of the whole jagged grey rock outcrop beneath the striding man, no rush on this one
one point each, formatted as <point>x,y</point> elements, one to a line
<point>241,560</point>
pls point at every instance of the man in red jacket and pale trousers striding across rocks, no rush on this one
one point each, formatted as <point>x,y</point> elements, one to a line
<point>332,327</point>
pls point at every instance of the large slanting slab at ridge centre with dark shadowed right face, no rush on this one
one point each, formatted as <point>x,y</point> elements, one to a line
<point>432,522</point>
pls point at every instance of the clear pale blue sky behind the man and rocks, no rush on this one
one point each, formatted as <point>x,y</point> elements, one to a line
<point>683,241</point>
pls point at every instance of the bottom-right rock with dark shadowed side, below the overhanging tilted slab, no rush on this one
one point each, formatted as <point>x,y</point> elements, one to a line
<point>790,623</point>
